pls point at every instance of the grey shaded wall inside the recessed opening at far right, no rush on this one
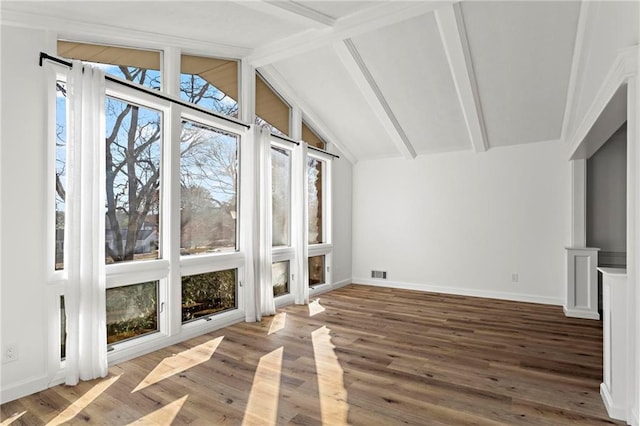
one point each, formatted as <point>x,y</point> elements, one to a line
<point>607,195</point>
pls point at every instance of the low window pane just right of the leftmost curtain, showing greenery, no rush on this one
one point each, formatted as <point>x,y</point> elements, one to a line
<point>132,311</point>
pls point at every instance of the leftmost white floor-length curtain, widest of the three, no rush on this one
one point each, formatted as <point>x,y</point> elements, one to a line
<point>86,348</point>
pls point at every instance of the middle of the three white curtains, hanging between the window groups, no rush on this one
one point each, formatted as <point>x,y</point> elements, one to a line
<point>266,304</point>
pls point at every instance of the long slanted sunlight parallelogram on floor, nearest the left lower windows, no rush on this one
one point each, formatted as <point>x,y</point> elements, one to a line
<point>180,362</point>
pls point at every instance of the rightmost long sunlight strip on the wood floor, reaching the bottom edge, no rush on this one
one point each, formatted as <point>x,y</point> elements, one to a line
<point>333,396</point>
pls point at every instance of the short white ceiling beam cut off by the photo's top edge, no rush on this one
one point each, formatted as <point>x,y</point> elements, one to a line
<point>293,12</point>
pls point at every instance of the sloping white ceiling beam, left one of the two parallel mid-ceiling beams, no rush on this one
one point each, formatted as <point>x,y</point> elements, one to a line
<point>359,72</point>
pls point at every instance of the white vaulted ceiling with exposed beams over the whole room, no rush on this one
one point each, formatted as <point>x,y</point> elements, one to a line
<point>375,78</point>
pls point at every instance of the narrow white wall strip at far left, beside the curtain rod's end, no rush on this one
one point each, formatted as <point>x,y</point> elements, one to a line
<point>22,273</point>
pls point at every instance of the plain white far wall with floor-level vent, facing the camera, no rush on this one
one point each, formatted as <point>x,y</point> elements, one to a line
<point>464,222</point>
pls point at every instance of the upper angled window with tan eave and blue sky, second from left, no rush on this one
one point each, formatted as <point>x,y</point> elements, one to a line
<point>211,83</point>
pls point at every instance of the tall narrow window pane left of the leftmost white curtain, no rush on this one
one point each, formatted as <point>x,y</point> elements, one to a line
<point>61,172</point>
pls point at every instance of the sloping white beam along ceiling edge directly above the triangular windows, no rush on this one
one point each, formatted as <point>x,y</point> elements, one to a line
<point>271,74</point>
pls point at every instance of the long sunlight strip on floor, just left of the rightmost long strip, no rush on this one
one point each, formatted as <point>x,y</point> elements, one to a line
<point>262,407</point>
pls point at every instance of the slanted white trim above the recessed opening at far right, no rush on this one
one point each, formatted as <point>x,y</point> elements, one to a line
<point>624,66</point>
